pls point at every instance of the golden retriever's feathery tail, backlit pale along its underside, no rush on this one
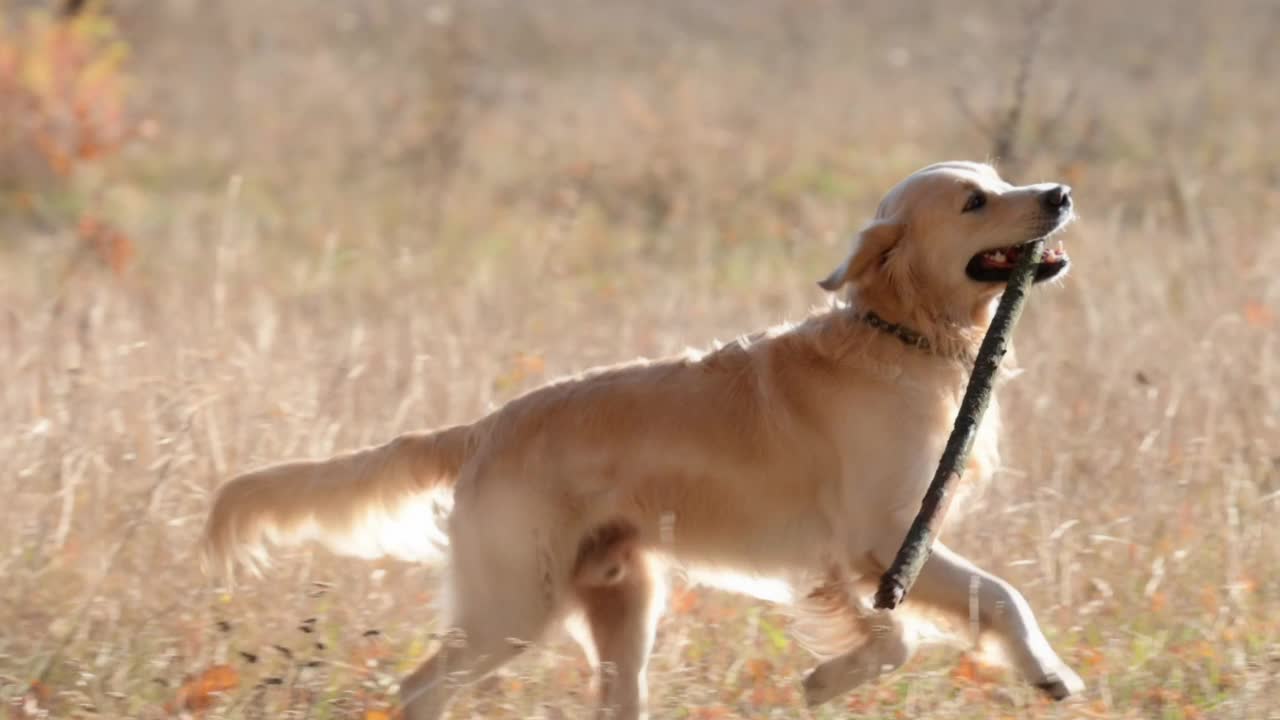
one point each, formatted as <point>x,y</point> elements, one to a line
<point>385,500</point>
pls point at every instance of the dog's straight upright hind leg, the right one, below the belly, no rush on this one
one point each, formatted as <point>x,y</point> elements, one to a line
<point>616,631</point>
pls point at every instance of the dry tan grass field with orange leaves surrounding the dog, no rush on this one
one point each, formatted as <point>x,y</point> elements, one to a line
<point>237,233</point>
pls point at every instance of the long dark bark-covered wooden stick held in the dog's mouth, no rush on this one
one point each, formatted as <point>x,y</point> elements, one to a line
<point>920,540</point>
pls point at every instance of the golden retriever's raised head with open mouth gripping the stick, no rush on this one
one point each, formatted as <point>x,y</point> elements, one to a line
<point>945,240</point>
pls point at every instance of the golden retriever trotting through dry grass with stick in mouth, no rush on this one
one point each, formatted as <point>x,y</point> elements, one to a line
<point>788,464</point>
